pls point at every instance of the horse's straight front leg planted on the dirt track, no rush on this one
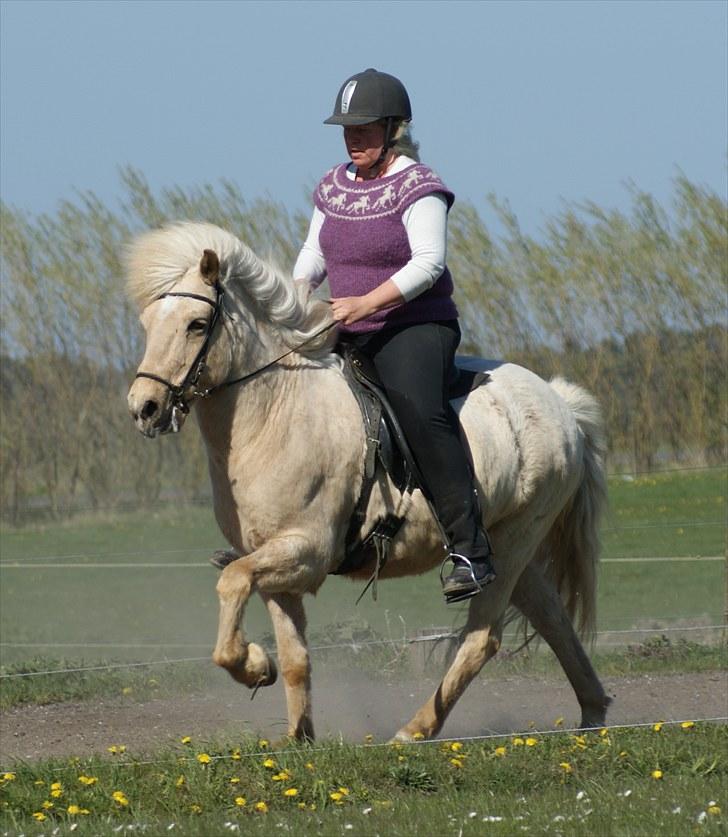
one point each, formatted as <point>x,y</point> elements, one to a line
<point>289,622</point>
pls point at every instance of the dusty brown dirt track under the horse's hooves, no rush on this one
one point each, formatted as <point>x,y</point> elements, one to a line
<point>351,705</point>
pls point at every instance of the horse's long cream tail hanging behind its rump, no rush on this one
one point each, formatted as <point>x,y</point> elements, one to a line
<point>572,546</point>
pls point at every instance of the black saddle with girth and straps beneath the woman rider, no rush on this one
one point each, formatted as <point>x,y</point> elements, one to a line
<point>387,449</point>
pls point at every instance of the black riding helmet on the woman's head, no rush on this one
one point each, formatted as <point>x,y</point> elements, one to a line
<point>369,96</point>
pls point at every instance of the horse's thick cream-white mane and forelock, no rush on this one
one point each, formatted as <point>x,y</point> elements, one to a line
<point>157,260</point>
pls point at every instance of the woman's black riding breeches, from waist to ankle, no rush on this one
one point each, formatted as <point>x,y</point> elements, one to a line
<point>416,366</point>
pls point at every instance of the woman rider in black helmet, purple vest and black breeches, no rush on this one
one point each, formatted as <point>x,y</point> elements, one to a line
<point>378,232</point>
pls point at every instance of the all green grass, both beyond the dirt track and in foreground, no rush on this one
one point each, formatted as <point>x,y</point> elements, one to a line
<point>670,780</point>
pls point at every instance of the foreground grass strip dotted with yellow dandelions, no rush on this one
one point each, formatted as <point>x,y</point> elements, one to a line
<point>592,784</point>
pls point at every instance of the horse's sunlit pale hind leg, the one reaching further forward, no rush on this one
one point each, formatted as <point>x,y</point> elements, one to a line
<point>481,640</point>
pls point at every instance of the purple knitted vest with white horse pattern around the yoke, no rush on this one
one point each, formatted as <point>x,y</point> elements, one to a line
<point>365,242</point>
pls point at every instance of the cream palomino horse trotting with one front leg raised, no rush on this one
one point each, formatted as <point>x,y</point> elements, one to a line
<point>286,448</point>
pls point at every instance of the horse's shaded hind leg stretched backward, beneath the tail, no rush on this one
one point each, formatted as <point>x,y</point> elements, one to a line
<point>539,601</point>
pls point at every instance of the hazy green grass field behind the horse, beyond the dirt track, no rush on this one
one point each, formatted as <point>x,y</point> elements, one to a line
<point>109,605</point>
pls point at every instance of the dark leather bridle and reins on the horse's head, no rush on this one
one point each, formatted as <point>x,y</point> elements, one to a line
<point>179,400</point>
